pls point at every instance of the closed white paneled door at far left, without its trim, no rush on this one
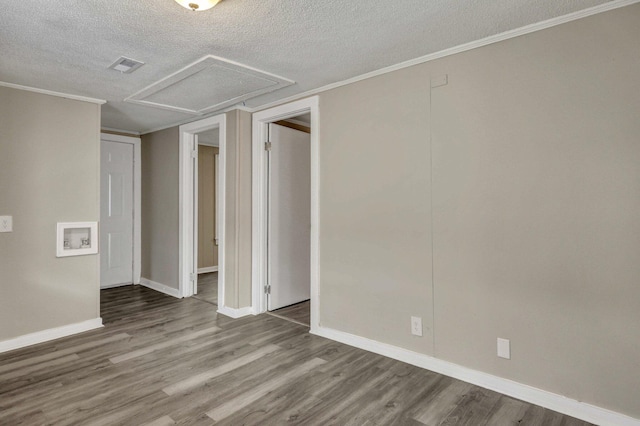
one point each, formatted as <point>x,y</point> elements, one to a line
<point>116,213</point>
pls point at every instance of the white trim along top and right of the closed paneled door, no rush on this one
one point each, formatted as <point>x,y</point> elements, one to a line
<point>137,188</point>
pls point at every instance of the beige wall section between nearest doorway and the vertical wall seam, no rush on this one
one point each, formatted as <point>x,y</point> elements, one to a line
<point>375,209</point>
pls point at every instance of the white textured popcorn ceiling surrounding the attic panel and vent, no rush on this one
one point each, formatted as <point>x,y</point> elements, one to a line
<point>68,45</point>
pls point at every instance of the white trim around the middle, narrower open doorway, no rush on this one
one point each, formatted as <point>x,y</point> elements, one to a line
<point>188,222</point>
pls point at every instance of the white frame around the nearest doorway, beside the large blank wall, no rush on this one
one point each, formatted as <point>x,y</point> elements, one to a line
<point>259,200</point>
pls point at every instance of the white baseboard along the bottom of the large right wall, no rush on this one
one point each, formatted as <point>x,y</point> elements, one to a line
<point>552,401</point>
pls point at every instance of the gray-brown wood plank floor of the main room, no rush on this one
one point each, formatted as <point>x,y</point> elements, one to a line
<point>163,361</point>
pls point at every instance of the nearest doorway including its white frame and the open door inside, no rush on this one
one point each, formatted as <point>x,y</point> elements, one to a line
<point>285,209</point>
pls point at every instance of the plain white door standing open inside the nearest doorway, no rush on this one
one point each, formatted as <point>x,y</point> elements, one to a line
<point>289,222</point>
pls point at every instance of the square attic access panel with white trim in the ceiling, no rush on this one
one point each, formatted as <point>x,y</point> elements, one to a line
<point>208,85</point>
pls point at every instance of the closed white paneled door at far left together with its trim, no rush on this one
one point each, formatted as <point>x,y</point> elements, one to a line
<point>120,201</point>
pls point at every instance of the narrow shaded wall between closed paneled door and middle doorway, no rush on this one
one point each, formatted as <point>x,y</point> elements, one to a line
<point>160,184</point>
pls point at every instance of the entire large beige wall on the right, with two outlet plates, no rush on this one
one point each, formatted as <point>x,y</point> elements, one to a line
<point>518,181</point>
